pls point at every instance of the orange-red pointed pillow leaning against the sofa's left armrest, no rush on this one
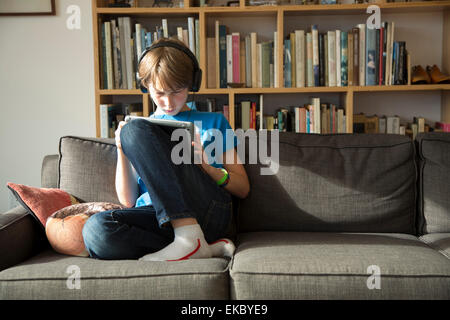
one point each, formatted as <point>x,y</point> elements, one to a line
<point>41,202</point>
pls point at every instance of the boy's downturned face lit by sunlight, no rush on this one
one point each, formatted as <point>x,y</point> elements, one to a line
<point>169,102</point>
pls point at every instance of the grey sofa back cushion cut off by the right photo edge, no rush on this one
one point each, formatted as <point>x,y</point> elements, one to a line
<point>434,182</point>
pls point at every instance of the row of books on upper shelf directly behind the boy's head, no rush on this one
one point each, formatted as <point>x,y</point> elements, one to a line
<point>122,43</point>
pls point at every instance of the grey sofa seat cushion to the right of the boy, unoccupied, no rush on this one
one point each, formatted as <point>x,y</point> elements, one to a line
<point>302,265</point>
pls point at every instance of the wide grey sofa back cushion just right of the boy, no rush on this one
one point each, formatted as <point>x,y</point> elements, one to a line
<point>333,183</point>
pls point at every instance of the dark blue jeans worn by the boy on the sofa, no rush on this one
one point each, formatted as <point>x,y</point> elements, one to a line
<point>177,191</point>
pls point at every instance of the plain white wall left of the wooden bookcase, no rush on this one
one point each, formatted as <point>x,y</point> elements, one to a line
<point>46,90</point>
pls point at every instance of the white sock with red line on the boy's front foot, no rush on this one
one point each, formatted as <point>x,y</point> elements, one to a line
<point>189,243</point>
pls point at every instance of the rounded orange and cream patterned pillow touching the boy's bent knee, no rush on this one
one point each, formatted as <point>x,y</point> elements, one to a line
<point>64,227</point>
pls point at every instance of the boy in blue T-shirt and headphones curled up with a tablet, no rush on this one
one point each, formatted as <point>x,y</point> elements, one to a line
<point>173,210</point>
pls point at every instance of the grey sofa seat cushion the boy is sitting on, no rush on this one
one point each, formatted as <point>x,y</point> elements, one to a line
<point>50,275</point>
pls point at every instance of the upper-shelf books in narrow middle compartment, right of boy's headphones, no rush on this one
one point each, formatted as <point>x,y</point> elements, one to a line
<point>234,58</point>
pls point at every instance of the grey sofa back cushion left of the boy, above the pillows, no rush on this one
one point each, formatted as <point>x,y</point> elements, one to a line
<point>87,168</point>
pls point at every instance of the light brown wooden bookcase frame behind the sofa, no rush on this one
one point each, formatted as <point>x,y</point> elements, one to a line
<point>281,19</point>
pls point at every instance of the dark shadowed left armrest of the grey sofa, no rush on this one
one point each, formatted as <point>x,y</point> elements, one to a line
<point>20,237</point>
